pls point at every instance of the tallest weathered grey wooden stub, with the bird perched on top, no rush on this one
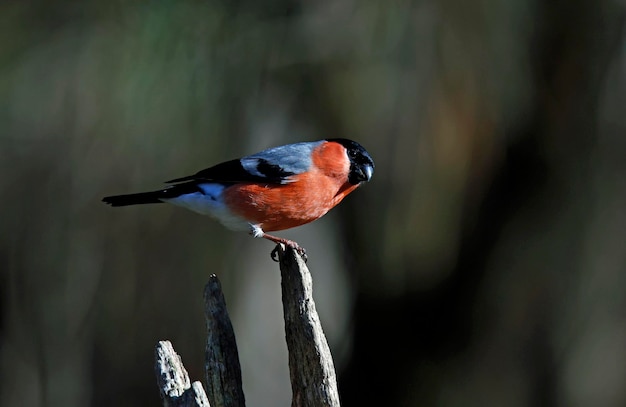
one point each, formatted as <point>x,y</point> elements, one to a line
<point>311,368</point>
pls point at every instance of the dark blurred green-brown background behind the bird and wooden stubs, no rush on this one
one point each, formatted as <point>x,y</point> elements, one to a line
<point>483,265</point>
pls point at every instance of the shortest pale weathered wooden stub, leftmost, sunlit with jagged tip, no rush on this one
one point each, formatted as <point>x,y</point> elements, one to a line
<point>173,380</point>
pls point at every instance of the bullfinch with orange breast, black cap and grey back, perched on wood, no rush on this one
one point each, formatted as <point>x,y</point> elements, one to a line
<point>276,189</point>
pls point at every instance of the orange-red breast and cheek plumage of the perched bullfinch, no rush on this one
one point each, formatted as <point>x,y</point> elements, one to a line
<point>308,197</point>
